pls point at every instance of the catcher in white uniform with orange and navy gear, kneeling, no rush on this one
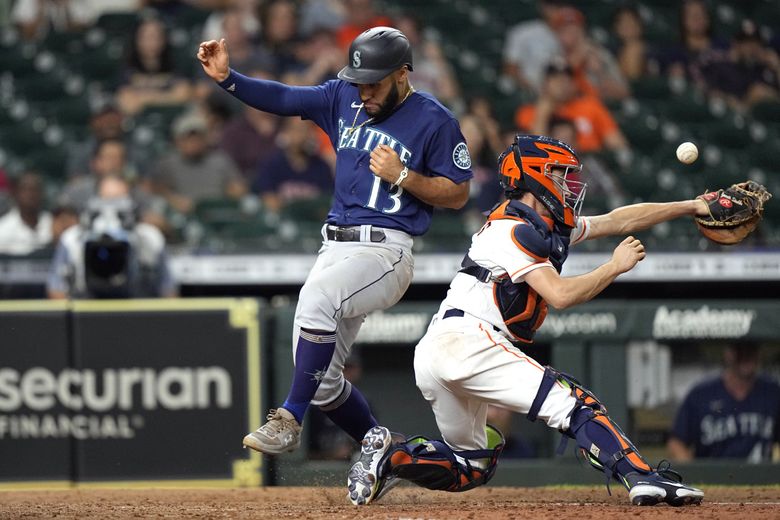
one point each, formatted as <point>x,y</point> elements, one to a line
<point>469,357</point>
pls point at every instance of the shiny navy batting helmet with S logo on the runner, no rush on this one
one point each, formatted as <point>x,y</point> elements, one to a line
<point>375,54</point>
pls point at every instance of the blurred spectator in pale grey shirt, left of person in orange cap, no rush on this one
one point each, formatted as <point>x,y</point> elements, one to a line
<point>529,47</point>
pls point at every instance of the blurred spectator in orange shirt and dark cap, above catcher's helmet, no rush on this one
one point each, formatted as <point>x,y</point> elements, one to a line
<point>596,129</point>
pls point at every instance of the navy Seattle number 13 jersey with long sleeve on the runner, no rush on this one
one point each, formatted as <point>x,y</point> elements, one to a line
<point>424,134</point>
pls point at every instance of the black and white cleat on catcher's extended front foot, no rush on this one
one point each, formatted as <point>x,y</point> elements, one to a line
<point>663,485</point>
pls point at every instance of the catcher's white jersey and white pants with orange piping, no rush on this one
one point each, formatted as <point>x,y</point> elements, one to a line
<point>463,363</point>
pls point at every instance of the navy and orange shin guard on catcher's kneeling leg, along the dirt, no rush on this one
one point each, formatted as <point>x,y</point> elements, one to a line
<point>434,465</point>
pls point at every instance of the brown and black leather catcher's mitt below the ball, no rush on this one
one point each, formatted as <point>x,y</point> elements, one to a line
<point>734,212</point>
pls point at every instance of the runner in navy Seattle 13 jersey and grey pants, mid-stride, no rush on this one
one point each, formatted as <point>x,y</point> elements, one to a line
<point>399,153</point>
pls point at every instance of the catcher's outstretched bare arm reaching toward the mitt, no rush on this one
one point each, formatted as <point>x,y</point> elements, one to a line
<point>636,217</point>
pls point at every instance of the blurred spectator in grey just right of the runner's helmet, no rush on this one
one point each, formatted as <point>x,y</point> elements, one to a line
<point>432,72</point>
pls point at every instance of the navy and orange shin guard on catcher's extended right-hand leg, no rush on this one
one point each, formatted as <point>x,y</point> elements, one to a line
<point>599,439</point>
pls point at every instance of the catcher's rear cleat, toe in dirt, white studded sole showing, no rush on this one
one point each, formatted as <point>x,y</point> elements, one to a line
<point>363,481</point>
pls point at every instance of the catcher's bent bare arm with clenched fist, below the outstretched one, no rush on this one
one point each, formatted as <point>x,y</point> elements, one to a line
<point>562,292</point>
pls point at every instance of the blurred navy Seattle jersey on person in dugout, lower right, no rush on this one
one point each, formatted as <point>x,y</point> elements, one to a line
<point>717,425</point>
